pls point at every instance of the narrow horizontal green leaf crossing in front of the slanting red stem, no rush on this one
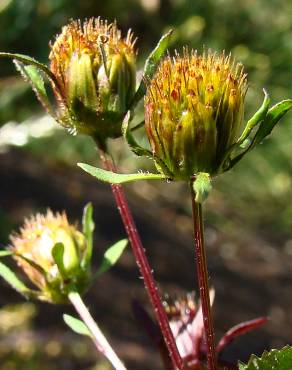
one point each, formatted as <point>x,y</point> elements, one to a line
<point>116,178</point>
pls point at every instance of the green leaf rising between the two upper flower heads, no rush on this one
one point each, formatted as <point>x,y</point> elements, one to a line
<point>151,66</point>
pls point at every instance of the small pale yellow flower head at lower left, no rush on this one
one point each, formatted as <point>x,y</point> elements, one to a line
<point>33,250</point>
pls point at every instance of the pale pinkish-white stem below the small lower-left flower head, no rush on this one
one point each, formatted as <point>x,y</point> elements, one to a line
<point>98,338</point>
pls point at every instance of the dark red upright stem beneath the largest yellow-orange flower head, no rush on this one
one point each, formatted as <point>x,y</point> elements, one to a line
<point>202,272</point>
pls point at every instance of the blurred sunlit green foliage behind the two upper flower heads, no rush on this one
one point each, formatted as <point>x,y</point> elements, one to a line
<point>258,33</point>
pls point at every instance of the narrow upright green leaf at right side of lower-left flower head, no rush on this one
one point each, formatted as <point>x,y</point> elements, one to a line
<point>88,228</point>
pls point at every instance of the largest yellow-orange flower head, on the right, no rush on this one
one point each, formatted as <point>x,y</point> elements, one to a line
<point>194,111</point>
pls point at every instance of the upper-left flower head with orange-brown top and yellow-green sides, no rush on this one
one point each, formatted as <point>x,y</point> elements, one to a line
<point>95,72</point>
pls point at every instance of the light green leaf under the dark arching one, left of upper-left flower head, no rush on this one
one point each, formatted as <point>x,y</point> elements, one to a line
<point>32,74</point>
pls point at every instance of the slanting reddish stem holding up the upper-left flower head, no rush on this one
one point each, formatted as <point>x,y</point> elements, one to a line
<point>143,264</point>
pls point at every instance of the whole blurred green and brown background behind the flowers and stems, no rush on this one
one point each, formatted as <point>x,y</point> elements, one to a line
<point>248,216</point>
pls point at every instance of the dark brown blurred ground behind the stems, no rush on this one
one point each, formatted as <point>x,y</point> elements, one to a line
<point>251,275</point>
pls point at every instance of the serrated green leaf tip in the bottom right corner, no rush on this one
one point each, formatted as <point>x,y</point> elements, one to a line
<point>275,359</point>
